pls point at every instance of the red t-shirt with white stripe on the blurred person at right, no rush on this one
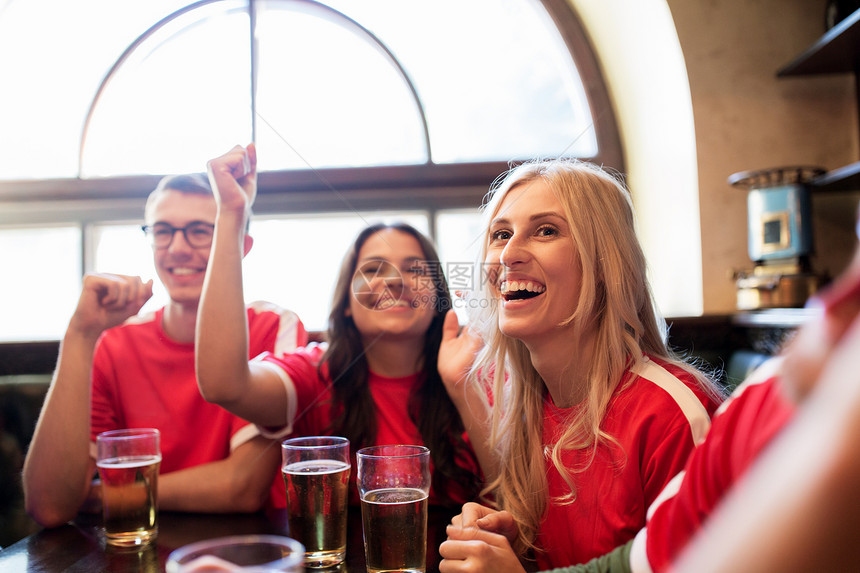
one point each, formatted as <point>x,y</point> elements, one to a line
<point>745,424</point>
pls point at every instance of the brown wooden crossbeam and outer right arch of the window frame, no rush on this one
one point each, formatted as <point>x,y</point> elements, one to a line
<point>437,184</point>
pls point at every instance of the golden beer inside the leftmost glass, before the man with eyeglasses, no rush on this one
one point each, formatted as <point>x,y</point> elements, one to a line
<point>129,498</point>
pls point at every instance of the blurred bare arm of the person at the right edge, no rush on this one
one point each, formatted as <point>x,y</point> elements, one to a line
<point>797,509</point>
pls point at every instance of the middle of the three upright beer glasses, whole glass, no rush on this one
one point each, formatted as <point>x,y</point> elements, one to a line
<point>316,473</point>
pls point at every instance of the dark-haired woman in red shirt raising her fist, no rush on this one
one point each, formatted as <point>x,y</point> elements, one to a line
<point>376,382</point>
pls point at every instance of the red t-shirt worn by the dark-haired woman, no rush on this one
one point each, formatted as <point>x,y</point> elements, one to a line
<point>313,414</point>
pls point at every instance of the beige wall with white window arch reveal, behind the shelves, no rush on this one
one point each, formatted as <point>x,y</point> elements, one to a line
<point>697,98</point>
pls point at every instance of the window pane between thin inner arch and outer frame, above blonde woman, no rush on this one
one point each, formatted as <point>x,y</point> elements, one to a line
<point>497,80</point>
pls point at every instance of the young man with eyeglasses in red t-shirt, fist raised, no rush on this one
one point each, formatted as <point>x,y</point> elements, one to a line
<point>118,369</point>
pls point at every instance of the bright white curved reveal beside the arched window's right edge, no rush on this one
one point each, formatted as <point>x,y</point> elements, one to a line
<point>641,58</point>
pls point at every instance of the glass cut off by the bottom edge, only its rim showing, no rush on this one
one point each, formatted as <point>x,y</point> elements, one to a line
<point>257,553</point>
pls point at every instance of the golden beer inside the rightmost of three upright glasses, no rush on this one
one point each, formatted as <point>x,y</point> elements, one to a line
<point>395,529</point>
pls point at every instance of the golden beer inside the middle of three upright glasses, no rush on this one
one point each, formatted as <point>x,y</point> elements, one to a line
<point>317,508</point>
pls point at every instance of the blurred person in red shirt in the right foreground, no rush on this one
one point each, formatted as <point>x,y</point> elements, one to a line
<point>773,487</point>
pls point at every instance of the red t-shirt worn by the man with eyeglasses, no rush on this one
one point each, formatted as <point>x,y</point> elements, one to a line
<point>143,379</point>
